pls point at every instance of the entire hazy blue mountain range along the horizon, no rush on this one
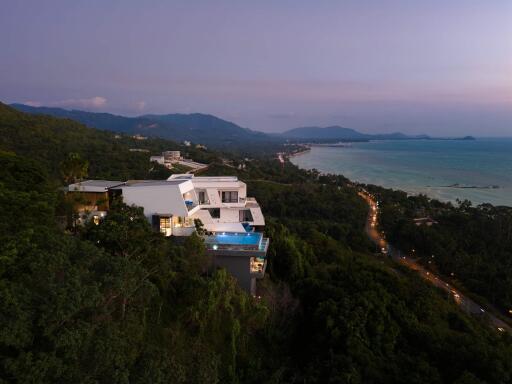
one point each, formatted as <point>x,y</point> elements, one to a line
<point>206,129</point>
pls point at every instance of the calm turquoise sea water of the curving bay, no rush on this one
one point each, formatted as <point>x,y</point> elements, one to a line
<point>424,166</point>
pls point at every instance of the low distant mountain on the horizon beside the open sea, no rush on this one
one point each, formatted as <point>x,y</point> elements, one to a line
<point>336,132</point>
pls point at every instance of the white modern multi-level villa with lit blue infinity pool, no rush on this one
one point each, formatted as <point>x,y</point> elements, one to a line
<point>232,222</point>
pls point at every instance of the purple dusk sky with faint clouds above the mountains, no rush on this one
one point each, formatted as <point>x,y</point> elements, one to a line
<point>437,67</point>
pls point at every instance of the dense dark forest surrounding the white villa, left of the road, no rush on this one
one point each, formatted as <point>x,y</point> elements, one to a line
<point>118,303</point>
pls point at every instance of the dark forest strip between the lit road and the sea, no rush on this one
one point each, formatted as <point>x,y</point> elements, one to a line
<point>470,245</point>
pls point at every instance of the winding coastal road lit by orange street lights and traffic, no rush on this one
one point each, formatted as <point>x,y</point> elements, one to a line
<point>466,304</point>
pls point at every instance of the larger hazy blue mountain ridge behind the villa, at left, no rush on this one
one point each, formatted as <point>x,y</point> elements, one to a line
<point>195,127</point>
